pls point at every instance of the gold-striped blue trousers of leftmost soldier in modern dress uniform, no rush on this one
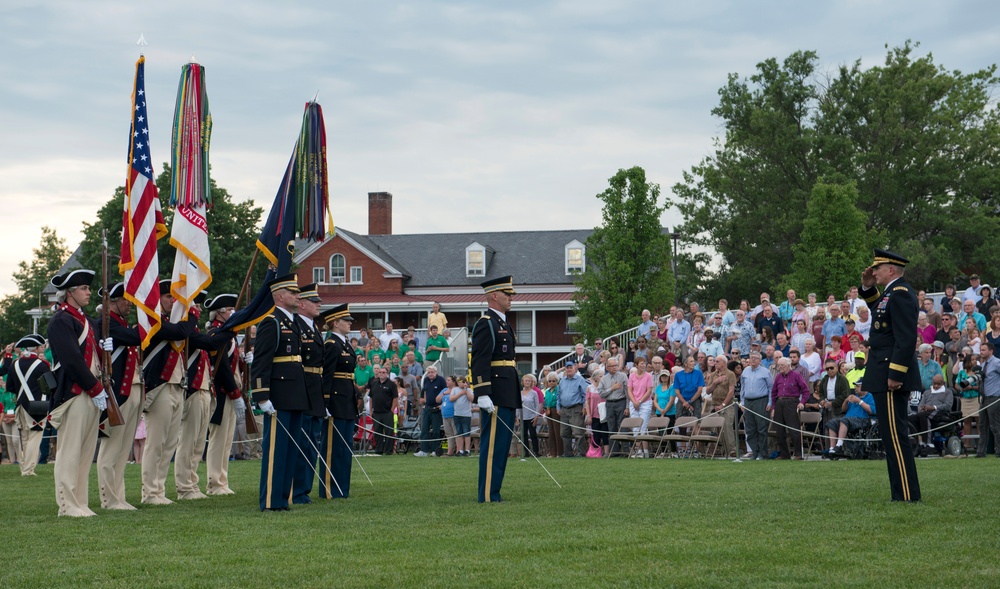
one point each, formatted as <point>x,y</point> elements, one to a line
<point>277,465</point>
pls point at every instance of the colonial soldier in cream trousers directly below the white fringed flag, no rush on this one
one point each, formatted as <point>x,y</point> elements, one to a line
<point>163,373</point>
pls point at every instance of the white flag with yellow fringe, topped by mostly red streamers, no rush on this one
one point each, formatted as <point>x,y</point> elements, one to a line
<point>190,194</point>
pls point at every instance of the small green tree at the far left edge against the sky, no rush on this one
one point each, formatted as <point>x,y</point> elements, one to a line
<point>31,278</point>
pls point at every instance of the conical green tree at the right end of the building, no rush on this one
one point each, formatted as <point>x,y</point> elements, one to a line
<point>628,258</point>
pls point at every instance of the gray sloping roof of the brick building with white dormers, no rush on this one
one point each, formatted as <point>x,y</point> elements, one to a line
<point>438,259</point>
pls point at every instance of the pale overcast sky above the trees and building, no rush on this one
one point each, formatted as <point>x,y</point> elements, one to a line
<point>475,115</point>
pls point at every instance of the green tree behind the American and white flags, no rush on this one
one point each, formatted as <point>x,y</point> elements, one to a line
<point>233,229</point>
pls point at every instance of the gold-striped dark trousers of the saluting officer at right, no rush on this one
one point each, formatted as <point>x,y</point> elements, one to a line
<point>893,427</point>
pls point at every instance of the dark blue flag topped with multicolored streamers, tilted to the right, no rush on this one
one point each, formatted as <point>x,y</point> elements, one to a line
<point>301,209</point>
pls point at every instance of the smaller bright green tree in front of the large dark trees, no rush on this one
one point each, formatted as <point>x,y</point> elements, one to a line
<point>835,245</point>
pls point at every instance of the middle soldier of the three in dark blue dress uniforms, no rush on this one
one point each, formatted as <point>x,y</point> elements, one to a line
<point>312,420</point>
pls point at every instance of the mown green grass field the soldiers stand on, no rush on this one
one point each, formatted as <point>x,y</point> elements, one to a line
<point>618,523</point>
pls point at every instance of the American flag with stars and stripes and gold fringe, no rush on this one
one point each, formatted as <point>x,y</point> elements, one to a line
<point>142,218</point>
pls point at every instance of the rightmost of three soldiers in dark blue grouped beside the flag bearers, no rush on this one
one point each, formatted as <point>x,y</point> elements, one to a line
<point>343,401</point>
